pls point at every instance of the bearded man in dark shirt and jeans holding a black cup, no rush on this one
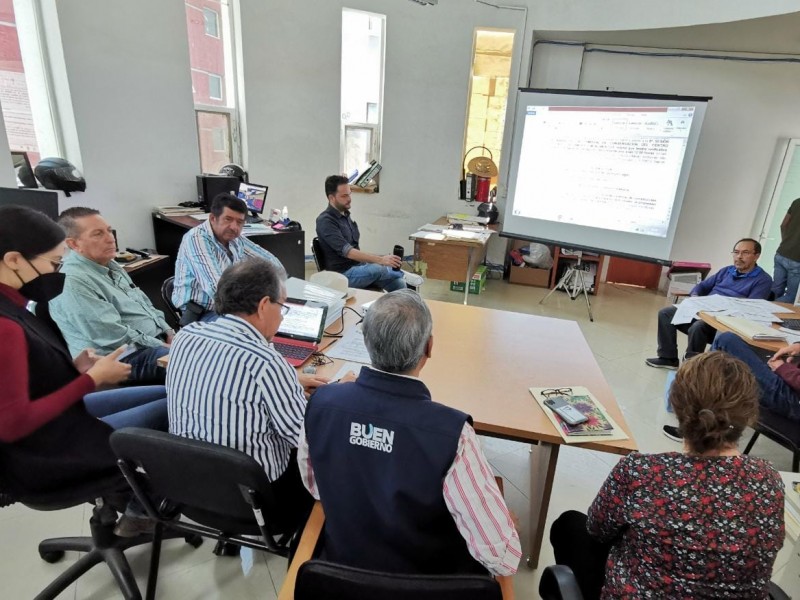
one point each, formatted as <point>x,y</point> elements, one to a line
<point>338,237</point>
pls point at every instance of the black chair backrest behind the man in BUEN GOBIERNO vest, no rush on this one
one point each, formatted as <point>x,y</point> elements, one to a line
<point>319,579</point>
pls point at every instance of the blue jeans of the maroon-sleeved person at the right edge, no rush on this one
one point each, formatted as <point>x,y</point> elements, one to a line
<point>776,395</point>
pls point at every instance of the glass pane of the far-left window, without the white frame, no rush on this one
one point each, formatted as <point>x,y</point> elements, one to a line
<point>14,89</point>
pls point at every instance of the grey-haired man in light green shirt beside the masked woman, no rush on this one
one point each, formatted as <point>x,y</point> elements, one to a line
<point>100,306</point>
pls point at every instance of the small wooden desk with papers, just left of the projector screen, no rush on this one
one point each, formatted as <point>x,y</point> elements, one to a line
<point>450,260</point>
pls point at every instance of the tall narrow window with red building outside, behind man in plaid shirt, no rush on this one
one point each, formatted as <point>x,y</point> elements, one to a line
<point>210,28</point>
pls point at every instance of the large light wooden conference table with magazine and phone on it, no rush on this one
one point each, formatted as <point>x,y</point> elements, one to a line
<point>483,363</point>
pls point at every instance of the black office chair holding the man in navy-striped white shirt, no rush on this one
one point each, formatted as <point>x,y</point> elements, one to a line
<point>226,493</point>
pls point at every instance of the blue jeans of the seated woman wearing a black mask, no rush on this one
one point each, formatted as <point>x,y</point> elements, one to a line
<point>143,406</point>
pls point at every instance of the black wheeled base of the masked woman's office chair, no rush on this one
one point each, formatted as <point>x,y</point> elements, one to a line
<point>101,546</point>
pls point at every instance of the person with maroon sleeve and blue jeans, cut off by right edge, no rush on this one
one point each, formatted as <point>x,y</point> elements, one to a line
<point>779,378</point>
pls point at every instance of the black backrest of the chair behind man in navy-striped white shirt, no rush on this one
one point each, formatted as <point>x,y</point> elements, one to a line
<point>198,477</point>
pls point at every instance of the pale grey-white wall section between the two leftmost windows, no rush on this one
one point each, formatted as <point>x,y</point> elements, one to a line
<point>128,70</point>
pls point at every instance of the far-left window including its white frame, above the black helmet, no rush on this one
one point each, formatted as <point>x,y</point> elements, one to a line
<point>31,125</point>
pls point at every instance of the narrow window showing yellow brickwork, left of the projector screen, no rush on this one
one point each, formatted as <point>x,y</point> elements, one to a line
<point>488,90</point>
